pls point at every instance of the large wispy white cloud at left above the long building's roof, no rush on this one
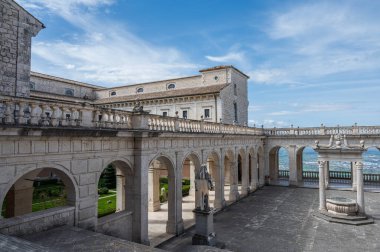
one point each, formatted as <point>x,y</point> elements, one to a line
<point>104,52</point>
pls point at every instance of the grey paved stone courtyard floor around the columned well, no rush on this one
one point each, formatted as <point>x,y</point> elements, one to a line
<point>280,219</point>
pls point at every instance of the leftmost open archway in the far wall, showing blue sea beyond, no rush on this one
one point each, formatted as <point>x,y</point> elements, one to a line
<point>278,166</point>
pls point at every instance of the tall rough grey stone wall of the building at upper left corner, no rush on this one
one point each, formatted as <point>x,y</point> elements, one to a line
<point>17,27</point>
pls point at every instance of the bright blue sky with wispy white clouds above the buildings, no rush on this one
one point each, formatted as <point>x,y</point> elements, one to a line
<point>310,62</point>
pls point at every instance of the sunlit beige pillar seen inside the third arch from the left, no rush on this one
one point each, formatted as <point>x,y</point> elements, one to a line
<point>154,190</point>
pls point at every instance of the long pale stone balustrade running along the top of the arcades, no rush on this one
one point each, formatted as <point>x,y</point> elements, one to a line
<point>27,111</point>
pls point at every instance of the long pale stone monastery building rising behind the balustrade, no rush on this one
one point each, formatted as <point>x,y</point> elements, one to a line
<point>218,94</point>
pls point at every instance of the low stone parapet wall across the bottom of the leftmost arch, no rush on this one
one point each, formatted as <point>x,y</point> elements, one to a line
<point>38,222</point>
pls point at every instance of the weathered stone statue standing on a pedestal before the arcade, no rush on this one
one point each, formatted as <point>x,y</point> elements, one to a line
<point>202,186</point>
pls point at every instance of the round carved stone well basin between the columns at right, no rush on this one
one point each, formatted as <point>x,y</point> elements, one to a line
<point>342,206</point>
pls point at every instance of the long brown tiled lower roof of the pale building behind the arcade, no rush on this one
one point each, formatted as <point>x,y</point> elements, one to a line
<point>165,94</point>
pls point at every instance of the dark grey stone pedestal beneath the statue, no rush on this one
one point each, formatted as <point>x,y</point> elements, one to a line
<point>204,228</point>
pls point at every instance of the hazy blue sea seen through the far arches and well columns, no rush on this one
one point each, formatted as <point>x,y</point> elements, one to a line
<point>371,160</point>
